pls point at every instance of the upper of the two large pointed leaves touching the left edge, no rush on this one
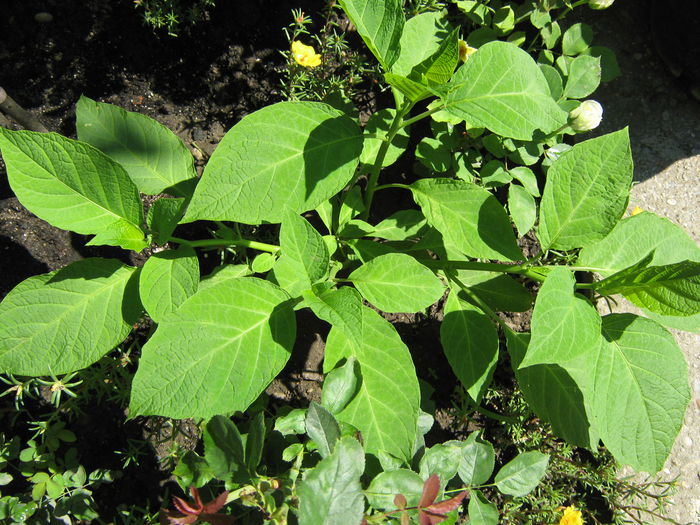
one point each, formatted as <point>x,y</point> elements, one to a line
<point>74,186</point>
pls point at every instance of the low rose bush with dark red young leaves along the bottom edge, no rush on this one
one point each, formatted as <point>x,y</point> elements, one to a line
<point>315,465</point>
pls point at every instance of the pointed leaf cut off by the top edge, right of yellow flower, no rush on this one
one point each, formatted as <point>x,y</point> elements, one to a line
<point>380,24</point>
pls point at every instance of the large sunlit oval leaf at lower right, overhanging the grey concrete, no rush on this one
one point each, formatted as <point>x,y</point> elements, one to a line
<point>641,391</point>
